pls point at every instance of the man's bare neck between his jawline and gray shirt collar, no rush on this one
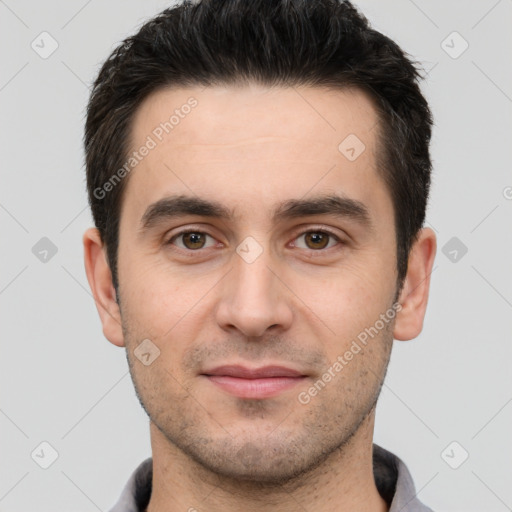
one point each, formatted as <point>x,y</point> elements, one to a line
<point>343,481</point>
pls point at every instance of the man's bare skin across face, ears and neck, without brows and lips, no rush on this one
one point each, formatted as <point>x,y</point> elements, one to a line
<point>296,305</point>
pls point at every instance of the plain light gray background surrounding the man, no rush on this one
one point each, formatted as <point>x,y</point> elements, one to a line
<point>63,383</point>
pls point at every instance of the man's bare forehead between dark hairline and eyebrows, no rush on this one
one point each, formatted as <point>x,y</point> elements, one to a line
<point>235,144</point>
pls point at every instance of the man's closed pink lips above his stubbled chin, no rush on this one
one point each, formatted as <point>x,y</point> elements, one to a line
<point>255,383</point>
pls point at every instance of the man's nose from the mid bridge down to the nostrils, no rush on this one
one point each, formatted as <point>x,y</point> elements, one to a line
<point>253,299</point>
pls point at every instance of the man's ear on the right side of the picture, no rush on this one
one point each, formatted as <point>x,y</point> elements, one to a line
<point>414,294</point>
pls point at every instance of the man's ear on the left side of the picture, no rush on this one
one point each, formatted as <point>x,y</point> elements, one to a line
<point>100,281</point>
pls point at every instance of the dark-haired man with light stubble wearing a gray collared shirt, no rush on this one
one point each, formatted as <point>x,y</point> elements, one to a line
<point>258,174</point>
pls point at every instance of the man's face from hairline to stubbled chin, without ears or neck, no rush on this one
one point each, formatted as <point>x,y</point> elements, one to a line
<point>282,280</point>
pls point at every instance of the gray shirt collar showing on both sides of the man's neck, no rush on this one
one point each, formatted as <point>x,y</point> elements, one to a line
<point>392,478</point>
